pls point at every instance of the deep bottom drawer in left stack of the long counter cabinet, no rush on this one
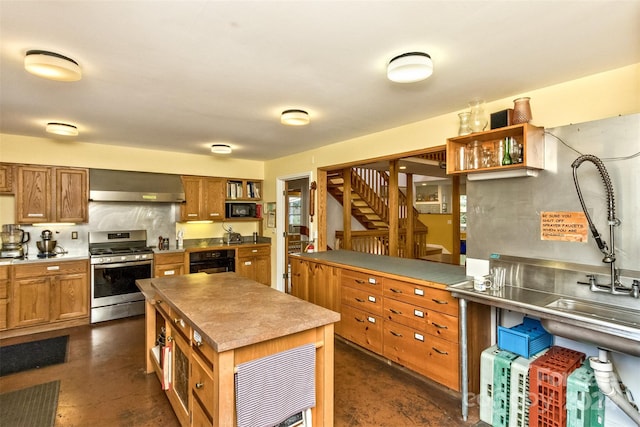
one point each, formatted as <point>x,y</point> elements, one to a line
<point>362,328</point>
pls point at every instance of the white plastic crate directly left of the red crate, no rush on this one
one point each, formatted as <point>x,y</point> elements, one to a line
<point>519,401</point>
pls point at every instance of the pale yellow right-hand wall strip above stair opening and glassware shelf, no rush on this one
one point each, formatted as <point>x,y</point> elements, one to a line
<point>599,96</point>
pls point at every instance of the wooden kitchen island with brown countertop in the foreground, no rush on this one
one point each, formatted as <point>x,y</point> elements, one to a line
<point>212,324</point>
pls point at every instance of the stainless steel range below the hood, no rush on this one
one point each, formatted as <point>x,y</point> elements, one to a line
<point>118,259</point>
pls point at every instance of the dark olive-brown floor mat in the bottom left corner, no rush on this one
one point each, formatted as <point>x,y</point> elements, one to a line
<point>31,406</point>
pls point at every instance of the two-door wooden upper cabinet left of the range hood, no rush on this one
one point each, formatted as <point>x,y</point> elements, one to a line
<point>49,194</point>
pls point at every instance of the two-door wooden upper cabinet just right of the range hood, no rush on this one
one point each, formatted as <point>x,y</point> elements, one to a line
<point>204,198</point>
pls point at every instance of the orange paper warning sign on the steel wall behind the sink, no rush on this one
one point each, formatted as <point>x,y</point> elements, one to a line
<point>564,226</point>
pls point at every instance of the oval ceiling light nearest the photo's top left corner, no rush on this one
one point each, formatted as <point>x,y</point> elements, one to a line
<point>51,65</point>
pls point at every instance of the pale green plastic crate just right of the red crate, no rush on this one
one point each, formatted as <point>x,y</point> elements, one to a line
<point>585,401</point>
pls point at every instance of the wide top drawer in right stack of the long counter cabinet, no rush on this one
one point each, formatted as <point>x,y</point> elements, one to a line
<point>424,296</point>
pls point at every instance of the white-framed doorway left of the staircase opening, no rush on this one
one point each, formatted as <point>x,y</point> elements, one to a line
<point>292,226</point>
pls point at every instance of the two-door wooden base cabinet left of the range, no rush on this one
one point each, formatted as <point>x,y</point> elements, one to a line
<point>48,292</point>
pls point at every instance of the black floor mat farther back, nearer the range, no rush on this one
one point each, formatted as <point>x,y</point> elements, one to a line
<point>32,355</point>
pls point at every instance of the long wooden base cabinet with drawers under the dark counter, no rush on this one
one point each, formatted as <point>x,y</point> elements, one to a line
<point>413,323</point>
